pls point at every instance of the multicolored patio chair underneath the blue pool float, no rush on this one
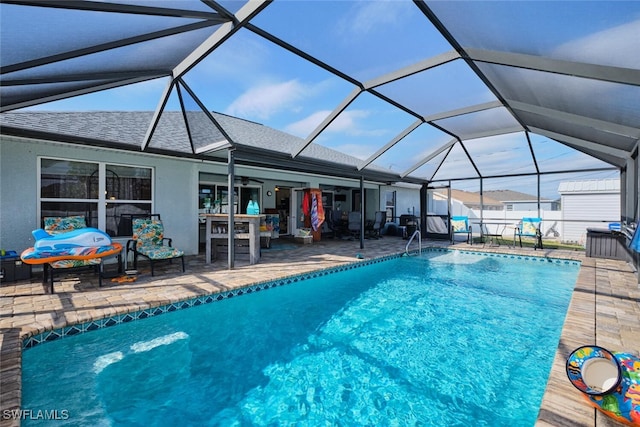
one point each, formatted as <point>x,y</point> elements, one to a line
<point>60,225</point>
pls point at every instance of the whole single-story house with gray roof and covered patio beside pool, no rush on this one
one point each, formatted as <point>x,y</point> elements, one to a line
<point>45,175</point>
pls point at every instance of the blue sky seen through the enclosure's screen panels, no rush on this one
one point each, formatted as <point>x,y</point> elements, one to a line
<point>251,78</point>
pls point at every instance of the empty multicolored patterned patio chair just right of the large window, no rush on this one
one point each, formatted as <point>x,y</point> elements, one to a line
<point>149,241</point>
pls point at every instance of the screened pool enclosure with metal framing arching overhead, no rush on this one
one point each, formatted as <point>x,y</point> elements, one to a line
<point>449,95</point>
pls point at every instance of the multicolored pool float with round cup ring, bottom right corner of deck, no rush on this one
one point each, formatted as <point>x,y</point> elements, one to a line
<point>610,381</point>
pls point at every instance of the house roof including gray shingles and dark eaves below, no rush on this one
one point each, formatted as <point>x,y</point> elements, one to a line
<point>126,130</point>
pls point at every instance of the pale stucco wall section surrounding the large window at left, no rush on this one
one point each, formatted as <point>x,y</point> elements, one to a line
<point>19,185</point>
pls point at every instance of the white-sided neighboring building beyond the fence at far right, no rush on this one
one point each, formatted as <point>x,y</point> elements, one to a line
<point>588,203</point>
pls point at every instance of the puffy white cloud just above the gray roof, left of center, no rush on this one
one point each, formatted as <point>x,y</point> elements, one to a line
<point>264,101</point>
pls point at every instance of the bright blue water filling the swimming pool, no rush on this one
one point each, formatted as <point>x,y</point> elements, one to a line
<point>444,339</point>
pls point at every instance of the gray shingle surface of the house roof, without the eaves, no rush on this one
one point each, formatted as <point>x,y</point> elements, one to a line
<point>128,128</point>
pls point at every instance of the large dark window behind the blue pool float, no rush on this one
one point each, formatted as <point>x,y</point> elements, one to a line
<point>105,194</point>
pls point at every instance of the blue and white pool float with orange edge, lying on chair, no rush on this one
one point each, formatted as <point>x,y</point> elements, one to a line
<point>81,244</point>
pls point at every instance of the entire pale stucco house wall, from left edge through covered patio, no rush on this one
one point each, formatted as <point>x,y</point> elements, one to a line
<point>175,187</point>
